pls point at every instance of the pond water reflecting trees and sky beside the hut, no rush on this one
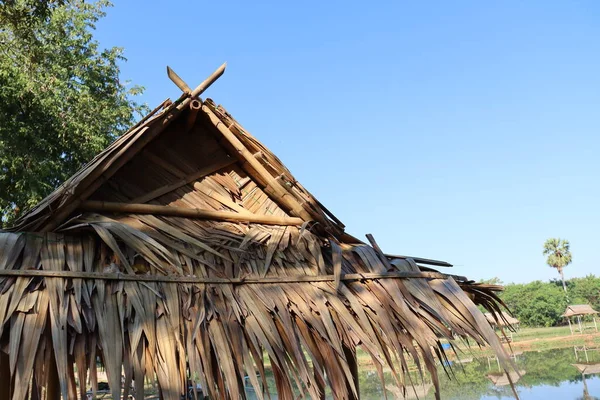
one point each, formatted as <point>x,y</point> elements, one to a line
<point>546,375</point>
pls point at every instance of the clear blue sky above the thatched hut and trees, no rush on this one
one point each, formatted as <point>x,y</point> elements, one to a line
<point>466,131</point>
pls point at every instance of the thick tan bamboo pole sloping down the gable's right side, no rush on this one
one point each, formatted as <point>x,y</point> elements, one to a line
<point>272,187</point>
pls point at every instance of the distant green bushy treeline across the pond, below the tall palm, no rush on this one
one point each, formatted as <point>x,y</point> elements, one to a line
<point>542,303</point>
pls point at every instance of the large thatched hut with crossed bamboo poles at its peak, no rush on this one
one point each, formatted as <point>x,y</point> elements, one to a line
<point>187,255</point>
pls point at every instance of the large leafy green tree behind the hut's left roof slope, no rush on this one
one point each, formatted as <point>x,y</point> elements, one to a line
<point>61,100</point>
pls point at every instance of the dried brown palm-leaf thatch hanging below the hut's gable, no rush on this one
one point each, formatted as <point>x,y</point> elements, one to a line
<point>215,334</point>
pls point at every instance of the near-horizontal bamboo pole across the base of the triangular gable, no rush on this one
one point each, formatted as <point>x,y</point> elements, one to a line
<point>100,206</point>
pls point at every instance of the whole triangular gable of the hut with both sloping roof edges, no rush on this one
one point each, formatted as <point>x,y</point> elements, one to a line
<point>185,156</point>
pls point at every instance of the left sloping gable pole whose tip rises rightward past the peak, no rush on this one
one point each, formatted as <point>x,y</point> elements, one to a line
<point>145,135</point>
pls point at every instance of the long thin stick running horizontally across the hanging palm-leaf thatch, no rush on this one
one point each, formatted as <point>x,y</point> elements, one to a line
<point>227,281</point>
